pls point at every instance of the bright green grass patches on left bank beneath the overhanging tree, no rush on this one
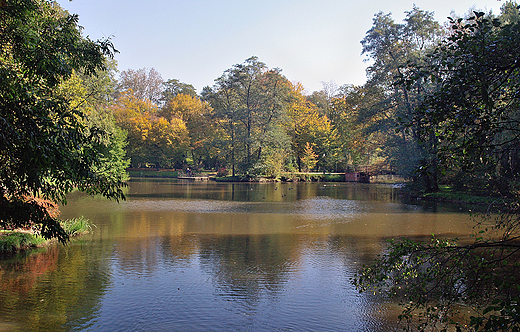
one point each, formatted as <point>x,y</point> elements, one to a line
<point>16,240</point>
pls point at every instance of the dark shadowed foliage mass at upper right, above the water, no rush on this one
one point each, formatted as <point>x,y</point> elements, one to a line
<point>472,117</point>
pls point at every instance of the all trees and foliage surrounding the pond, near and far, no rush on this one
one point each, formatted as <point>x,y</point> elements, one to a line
<point>440,108</point>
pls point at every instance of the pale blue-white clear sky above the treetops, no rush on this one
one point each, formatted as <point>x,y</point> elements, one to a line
<point>195,41</point>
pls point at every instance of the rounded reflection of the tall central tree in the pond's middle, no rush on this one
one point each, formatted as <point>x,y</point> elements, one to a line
<point>244,267</point>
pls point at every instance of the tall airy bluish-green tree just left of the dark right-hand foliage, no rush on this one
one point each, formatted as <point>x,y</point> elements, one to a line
<point>392,47</point>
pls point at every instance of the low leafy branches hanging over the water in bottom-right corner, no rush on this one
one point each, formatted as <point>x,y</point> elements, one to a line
<point>435,281</point>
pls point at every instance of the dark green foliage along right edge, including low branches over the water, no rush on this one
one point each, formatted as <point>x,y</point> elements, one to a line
<point>474,117</point>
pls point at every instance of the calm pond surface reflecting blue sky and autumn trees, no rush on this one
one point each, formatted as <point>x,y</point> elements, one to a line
<point>206,256</point>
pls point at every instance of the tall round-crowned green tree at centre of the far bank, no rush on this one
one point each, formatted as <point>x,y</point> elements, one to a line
<point>249,101</point>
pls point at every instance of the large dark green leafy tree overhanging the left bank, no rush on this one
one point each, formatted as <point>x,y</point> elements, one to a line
<point>46,147</point>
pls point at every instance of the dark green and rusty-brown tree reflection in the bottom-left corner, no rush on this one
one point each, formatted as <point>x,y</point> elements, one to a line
<point>57,289</point>
